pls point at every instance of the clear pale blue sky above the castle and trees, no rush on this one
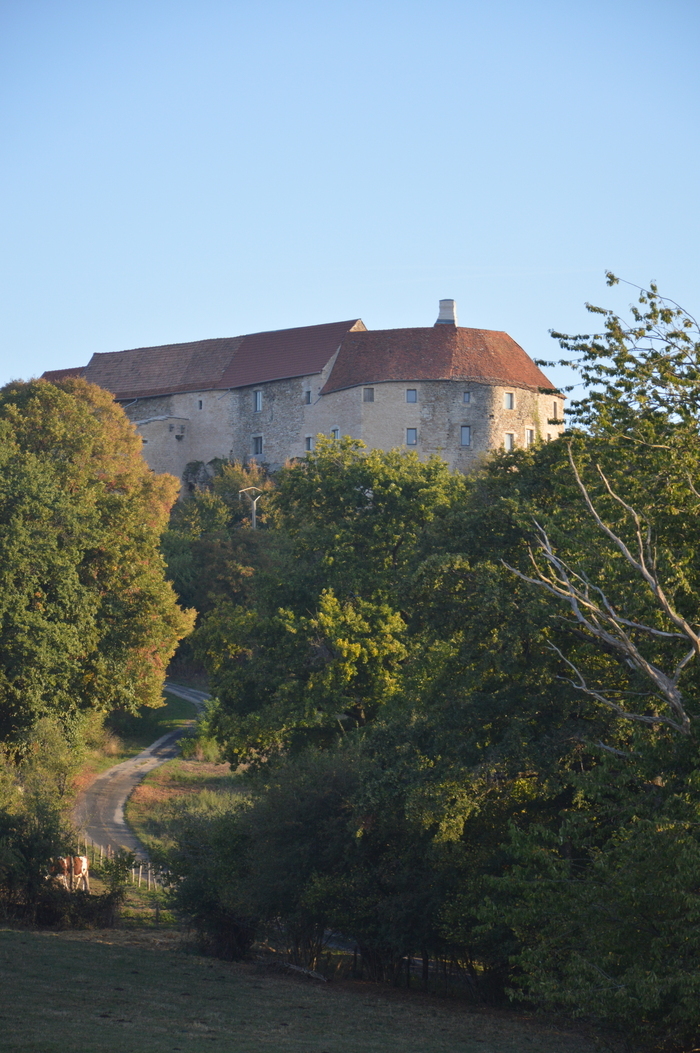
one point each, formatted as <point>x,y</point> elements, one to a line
<point>174,171</point>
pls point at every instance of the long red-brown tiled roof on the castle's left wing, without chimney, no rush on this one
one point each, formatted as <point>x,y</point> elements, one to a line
<point>214,365</point>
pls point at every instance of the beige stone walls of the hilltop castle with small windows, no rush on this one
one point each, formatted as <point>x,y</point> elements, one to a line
<point>286,416</point>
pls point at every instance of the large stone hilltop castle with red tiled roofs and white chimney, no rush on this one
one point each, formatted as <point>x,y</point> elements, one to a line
<point>447,390</point>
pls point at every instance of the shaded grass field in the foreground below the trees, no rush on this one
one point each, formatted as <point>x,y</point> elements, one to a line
<point>65,995</point>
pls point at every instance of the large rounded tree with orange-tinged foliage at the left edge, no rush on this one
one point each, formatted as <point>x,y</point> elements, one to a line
<point>88,621</point>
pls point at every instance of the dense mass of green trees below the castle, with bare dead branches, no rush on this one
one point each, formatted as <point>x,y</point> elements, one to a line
<point>469,705</point>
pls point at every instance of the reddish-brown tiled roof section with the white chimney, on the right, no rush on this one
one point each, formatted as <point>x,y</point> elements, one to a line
<point>439,353</point>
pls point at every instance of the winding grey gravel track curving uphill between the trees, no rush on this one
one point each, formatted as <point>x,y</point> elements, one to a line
<point>99,811</point>
